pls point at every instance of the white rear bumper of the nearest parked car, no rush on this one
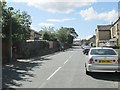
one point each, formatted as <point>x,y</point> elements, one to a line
<point>103,68</point>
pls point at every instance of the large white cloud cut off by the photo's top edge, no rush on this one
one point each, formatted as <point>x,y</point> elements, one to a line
<point>57,6</point>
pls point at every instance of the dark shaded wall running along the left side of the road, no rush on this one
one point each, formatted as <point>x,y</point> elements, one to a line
<point>30,49</point>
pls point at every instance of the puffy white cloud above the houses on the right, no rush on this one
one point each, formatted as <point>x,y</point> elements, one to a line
<point>91,14</point>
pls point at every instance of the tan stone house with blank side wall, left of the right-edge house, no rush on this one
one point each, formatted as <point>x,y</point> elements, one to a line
<point>103,34</point>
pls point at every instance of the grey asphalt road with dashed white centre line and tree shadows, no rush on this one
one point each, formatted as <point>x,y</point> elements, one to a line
<point>60,70</point>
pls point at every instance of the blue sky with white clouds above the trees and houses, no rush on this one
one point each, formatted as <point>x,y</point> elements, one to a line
<point>82,15</point>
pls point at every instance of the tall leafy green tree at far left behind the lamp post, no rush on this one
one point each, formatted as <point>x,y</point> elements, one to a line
<point>20,22</point>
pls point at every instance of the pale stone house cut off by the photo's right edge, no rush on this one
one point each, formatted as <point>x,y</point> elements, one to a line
<point>115,33</point>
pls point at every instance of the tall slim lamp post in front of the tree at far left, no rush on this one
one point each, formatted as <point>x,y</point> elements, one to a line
<point>10,33</point>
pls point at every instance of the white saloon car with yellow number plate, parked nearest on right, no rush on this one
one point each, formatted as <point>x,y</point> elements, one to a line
<point>102,59</point>
